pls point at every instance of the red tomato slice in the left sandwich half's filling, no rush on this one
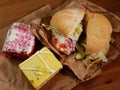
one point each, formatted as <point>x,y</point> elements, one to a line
<point>60,47</point>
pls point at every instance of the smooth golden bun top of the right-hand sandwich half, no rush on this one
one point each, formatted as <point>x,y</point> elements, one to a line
<point>98,32</point>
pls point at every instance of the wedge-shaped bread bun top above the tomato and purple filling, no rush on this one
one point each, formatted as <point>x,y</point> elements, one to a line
<point>66,20</point>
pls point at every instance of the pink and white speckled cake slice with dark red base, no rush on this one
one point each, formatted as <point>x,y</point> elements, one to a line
<point>19,42</point>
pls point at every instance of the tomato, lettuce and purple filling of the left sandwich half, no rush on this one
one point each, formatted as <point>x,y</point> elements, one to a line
<point>65,44</point>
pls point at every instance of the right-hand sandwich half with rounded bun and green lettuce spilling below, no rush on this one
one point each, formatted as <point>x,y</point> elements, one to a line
<point>95,43</point>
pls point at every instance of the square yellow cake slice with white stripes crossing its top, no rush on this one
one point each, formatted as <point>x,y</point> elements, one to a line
<point>40,67</point>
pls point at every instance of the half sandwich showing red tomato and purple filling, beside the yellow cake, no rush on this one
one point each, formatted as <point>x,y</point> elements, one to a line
<point>66,28</point>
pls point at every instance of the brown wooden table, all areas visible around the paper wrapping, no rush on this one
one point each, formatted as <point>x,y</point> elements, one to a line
<point>11,10</point>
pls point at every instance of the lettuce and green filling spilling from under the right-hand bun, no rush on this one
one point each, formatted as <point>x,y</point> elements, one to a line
<point>89,59</point>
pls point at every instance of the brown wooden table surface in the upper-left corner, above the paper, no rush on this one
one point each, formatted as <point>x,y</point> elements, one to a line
<point>11,10</point>
